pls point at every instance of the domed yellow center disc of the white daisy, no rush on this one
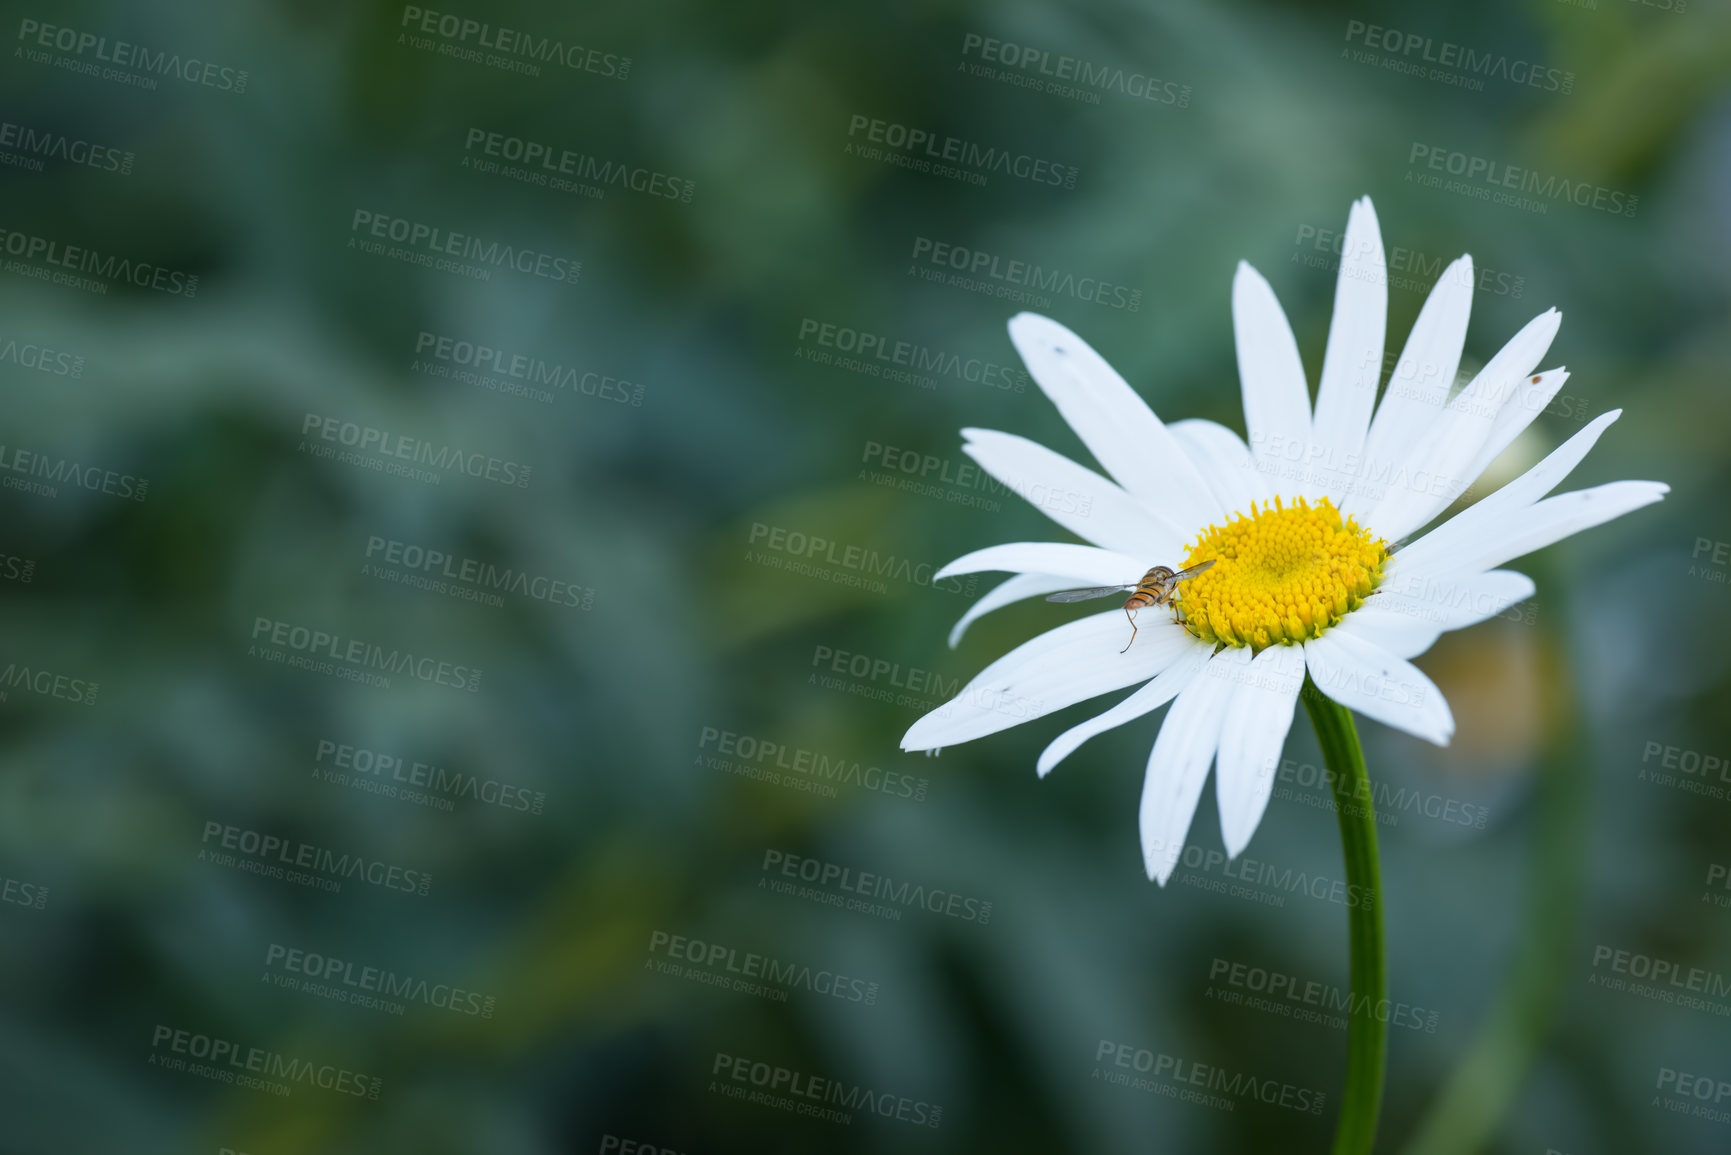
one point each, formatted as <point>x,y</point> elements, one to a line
<point>1280,576</point>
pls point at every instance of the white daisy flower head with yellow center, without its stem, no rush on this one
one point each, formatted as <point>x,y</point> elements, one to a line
<point>1304,527</point>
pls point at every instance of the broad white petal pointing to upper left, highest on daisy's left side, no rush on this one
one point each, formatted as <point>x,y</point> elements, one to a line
<point>1117,427</point>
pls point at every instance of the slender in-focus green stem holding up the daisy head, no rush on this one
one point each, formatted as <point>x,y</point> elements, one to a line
<point>1367,1035</point>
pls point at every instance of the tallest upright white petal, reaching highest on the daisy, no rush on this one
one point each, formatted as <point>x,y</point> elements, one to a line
<point>1355,359</point>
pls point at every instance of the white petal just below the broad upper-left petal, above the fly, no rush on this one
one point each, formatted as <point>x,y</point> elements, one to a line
<point>1072,496</point>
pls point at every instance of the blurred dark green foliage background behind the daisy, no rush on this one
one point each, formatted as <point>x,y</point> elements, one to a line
<point>596,811</point>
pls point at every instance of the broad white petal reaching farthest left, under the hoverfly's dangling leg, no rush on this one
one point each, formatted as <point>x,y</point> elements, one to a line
<point>1059,669</point>
